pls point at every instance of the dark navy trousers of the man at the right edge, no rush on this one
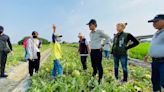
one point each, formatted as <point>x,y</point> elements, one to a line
<point>157,75</point>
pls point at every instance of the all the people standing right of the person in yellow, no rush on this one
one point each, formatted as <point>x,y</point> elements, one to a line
<point>122,42</point>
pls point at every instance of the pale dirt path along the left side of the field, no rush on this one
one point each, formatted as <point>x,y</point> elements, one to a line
<point>18,75</point>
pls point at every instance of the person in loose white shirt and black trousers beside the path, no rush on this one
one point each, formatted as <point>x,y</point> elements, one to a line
<point>33,50</point>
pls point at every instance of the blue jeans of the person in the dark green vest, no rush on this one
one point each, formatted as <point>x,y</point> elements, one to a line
<point>124,63</point>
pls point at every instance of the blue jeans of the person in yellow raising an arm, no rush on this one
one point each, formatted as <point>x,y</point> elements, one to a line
<point>57,68</point>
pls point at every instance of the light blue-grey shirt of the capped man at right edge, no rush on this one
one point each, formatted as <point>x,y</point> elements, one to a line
<point>157,45</point>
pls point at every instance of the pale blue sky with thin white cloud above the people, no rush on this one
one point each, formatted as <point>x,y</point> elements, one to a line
<point>21,17</point>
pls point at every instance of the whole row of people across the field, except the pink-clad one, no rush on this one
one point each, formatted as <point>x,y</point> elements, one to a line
<point>122,42</point>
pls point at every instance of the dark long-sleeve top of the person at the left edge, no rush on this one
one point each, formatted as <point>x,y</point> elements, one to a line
<point>3,40</point>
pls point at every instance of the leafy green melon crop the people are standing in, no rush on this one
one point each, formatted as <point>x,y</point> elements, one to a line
<point>139,78</point>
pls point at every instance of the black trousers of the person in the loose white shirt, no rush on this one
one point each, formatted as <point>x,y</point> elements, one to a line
<point>34,65</point>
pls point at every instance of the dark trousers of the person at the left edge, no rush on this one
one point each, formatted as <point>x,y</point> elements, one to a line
<point>3,59</point>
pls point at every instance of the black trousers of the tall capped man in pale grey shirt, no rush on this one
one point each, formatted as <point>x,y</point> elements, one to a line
<point>96,59</point>
